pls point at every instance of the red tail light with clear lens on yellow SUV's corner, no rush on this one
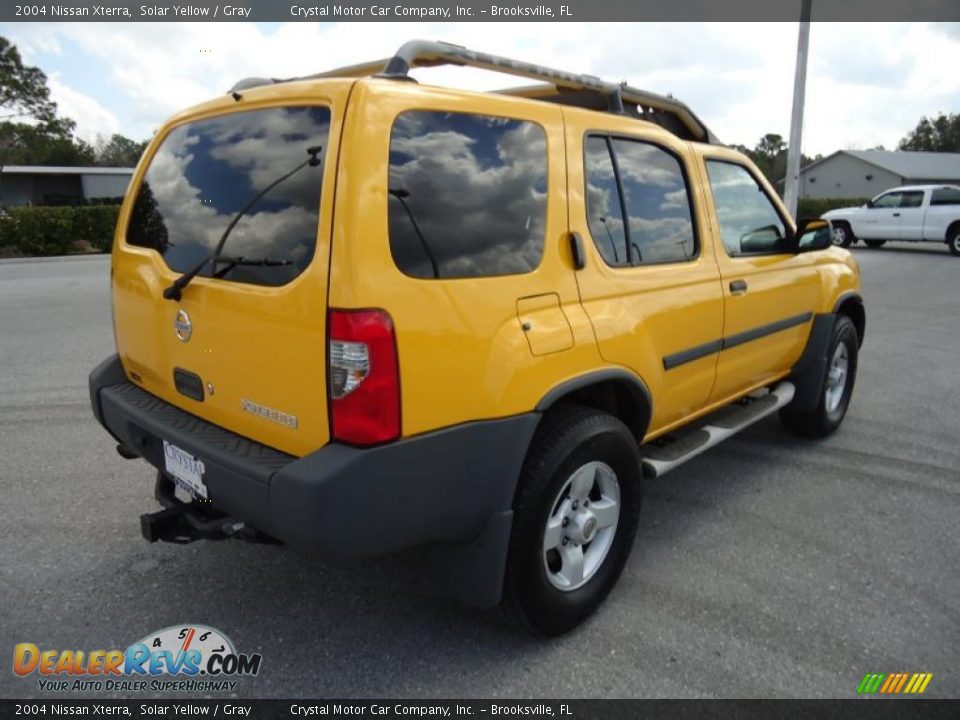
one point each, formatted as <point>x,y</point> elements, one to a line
<point>364,378</point>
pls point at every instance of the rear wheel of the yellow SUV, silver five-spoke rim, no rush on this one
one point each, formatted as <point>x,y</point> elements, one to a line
<point>576,512</point>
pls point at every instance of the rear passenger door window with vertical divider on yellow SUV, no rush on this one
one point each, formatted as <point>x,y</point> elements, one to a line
<point>638,207</point>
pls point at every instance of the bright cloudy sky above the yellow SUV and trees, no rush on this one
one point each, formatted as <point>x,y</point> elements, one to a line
<point>868,83</point>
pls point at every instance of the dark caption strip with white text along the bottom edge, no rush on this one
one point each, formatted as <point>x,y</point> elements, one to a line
<point>886,709</point>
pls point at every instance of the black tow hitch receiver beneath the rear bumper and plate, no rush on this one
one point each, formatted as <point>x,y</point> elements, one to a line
<point>183,522</point>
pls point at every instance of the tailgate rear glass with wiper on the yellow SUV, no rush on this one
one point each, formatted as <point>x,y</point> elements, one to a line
<point>252,167</point>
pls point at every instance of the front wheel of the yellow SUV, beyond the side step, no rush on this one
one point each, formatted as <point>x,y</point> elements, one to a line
<point>838,384</point>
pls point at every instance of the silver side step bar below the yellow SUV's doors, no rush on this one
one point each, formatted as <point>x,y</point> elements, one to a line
<point>664,454</point>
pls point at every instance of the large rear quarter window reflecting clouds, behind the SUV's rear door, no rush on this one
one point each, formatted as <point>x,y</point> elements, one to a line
<point>467,195</point>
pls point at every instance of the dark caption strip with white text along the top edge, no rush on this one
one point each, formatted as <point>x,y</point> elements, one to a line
<point>476,11</point>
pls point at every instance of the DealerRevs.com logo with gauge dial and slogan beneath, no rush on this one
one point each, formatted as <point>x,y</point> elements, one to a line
<point>190,658</point>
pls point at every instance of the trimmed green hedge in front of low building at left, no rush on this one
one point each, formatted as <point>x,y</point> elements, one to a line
<point>37,231</point>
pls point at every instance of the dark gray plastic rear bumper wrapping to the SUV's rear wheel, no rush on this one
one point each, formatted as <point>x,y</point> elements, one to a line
<point>453,486</point>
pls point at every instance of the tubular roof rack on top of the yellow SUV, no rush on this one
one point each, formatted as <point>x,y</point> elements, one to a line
<point>567,88</point>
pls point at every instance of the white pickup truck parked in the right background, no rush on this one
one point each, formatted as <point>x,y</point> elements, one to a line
<point>914,213</point>
